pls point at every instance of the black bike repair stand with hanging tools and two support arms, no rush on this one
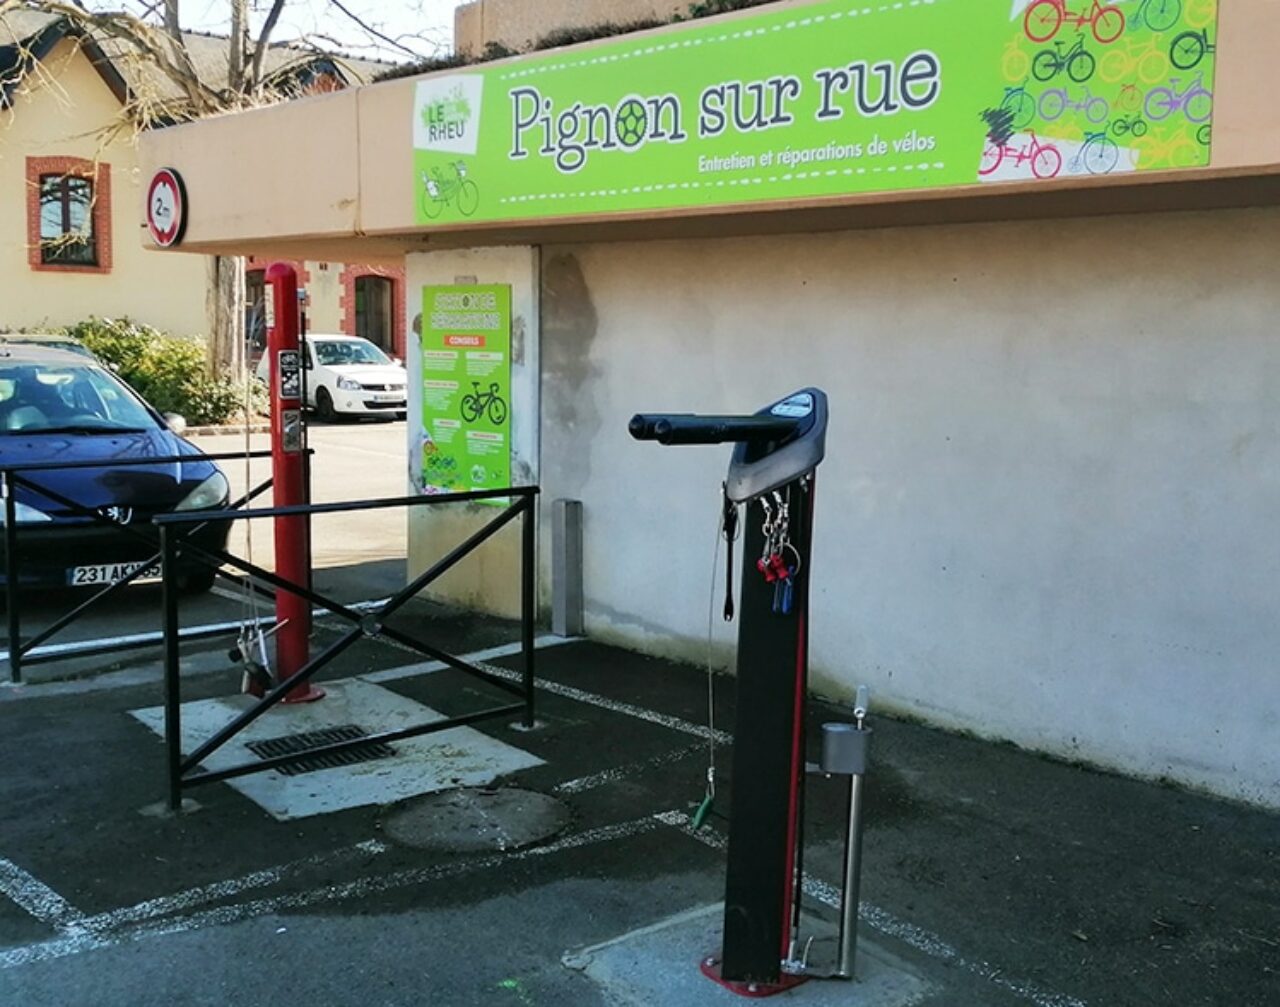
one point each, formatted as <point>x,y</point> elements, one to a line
<point>772,473</point>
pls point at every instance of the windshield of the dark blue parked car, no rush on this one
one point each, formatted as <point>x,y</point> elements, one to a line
<point>47,399</point>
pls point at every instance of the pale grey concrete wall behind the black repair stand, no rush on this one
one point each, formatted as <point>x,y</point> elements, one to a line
<point>1049,511</point>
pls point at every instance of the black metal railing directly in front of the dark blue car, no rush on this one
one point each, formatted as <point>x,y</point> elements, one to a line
<point>17,477</point>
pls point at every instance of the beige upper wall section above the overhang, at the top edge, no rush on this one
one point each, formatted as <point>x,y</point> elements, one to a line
<point>519,24</point>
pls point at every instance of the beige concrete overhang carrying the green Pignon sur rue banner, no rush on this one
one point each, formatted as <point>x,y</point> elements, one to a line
<point>346,175</point>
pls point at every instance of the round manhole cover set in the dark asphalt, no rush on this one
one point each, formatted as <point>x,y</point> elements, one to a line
<point>477,821</point>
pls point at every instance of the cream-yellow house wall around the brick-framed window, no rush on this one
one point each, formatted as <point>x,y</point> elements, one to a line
<point>60,120</point>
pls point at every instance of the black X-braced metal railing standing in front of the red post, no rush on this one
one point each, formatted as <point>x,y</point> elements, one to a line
<point>176,546</point>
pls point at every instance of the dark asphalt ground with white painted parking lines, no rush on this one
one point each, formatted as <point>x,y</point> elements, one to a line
<point>993,877</point>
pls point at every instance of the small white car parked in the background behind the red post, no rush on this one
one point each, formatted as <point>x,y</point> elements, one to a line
<point>349,376</point>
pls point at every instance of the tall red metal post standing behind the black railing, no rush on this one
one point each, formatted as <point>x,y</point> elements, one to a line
<point>289,472</point>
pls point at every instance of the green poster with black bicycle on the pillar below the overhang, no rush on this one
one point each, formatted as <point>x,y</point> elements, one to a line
<point>467,388</point>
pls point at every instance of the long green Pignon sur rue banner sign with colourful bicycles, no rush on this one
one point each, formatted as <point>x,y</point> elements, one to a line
<point>822,99</point>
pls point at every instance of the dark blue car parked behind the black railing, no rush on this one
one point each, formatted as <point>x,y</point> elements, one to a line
<point>57,406</point>
